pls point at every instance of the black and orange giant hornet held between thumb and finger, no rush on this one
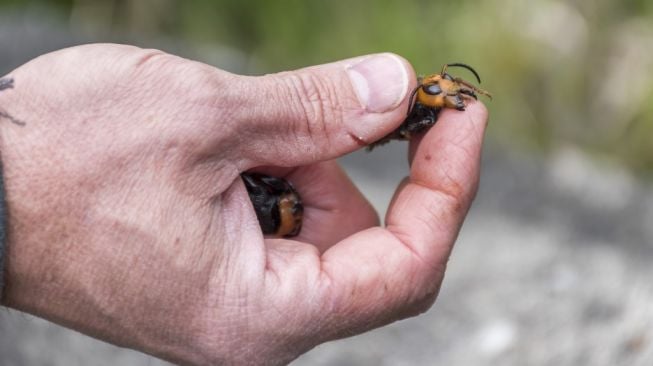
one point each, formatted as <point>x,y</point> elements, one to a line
<point>277,204</point>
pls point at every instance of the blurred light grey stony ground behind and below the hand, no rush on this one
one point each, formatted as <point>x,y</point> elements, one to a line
<point>551,267</point>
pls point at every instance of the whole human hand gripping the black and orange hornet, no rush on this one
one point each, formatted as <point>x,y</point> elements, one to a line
<point>128,220</point>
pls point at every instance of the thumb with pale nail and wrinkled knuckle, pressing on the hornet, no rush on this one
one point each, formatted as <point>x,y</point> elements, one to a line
<point>322,112</point>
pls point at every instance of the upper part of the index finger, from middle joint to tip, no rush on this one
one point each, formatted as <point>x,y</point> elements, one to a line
<point>428,210</point>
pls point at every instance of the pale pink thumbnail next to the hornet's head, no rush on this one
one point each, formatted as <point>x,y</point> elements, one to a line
<point>380,82</point>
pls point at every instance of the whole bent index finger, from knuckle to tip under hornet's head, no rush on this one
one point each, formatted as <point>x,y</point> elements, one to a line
<point>382,274</point>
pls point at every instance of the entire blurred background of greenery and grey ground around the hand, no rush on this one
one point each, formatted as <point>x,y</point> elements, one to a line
<point>553,263</point>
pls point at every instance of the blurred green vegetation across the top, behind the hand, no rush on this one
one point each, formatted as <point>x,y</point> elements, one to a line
<point>563,73</point>
